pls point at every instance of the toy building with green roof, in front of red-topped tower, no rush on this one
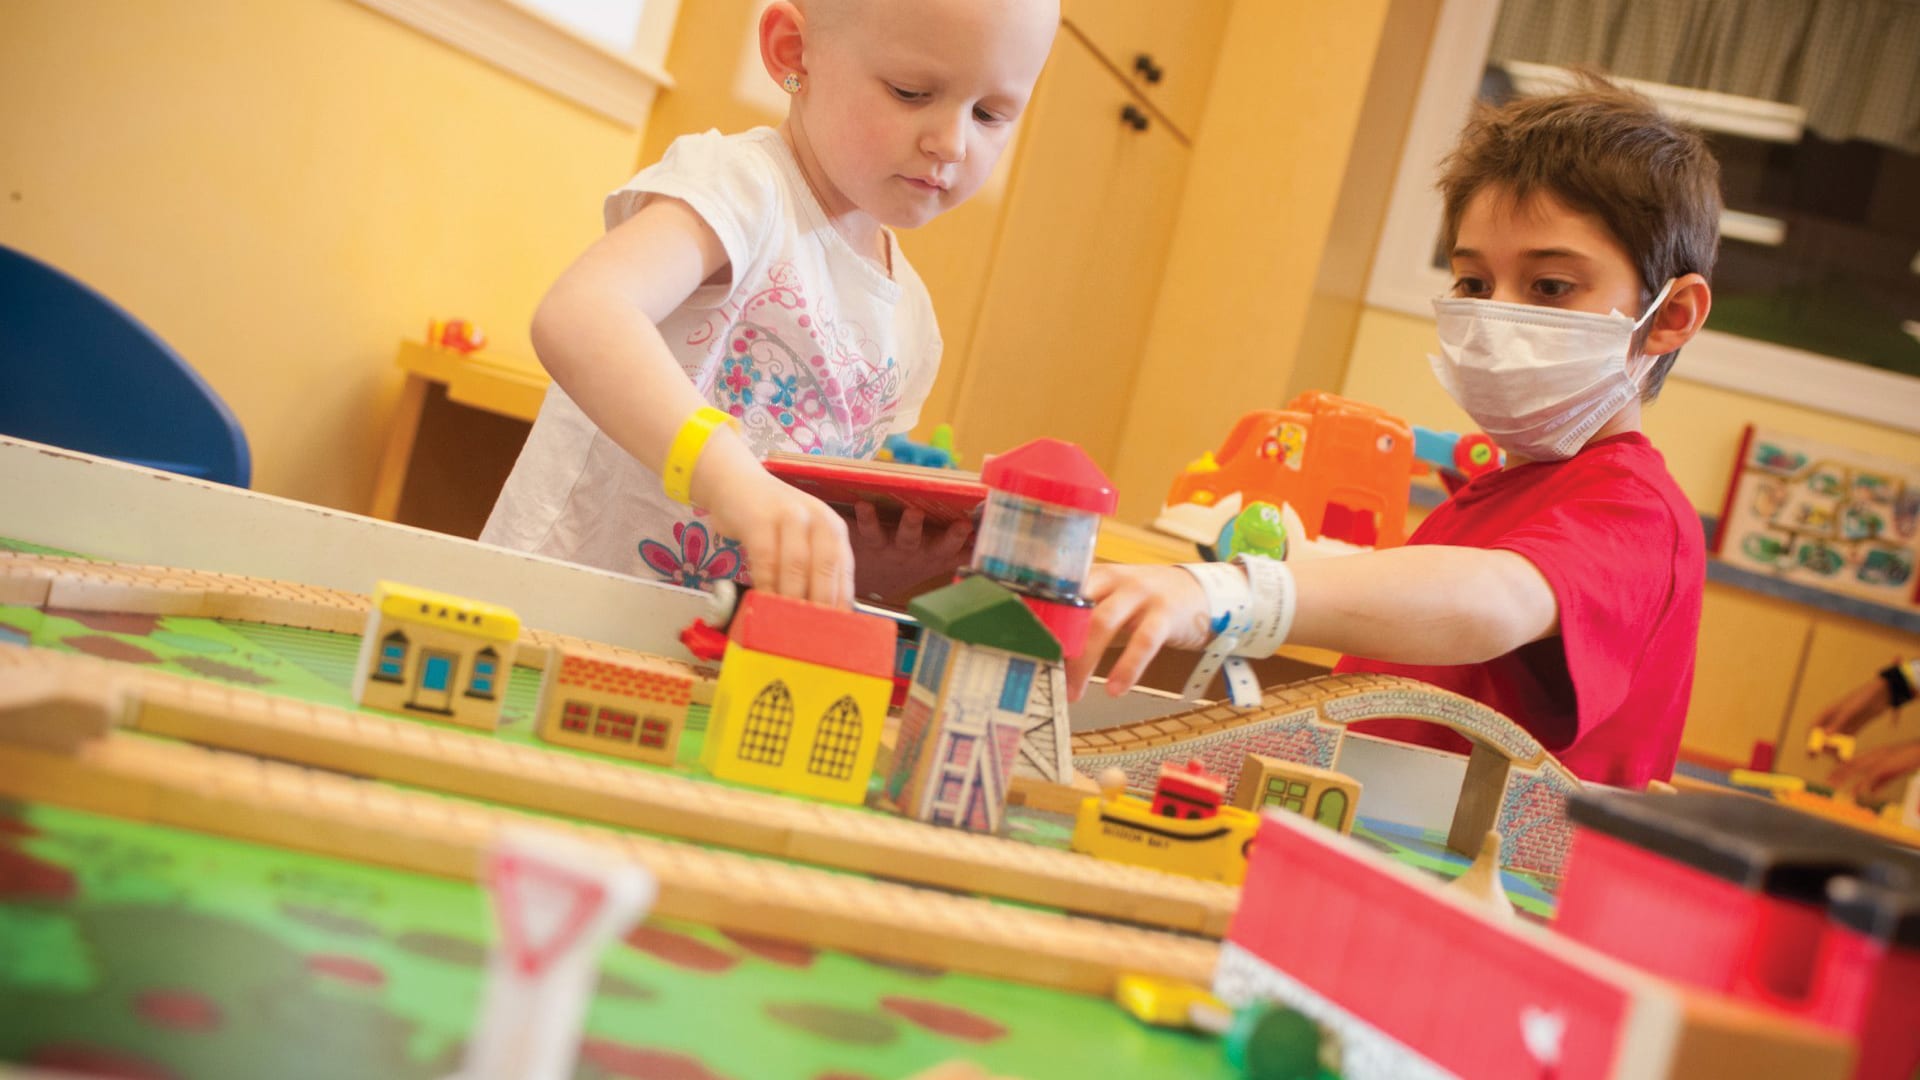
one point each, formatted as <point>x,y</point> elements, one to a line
<point>988,699</point>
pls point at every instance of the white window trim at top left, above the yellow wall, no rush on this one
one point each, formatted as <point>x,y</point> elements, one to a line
<point>546,55</point>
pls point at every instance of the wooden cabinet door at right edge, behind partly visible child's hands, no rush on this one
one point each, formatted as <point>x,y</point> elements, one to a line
<point>1842,656</point>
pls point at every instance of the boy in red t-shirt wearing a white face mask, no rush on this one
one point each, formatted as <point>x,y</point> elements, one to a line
<point>1564,589</point>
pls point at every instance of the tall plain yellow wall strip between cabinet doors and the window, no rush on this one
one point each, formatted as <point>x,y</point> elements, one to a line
<point>1259,218</point>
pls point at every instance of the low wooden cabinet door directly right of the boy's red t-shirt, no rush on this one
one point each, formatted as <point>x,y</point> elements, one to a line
<point>1744,674</point>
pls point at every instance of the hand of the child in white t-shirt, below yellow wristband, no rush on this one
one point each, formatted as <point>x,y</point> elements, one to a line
<point>794,543</point>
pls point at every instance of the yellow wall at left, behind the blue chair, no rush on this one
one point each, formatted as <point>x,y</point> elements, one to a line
<point>287,189</point>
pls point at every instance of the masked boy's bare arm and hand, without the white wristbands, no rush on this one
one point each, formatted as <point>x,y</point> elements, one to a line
<point>1428,604</point>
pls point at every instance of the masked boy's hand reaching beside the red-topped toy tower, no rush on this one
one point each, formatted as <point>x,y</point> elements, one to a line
<point>1157,606</point>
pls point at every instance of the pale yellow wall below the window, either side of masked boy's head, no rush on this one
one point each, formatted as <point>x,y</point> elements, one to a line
<point>1694,426</point>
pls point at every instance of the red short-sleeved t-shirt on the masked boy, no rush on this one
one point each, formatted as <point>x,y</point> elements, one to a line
<point>1625,556</point>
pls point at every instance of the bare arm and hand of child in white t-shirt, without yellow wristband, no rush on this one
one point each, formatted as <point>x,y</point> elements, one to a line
<point>598,333</point>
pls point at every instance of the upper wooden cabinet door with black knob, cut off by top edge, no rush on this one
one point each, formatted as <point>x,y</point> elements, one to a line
<point>1178,41</point>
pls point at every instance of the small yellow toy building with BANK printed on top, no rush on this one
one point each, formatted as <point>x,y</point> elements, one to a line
<point>437,656</point>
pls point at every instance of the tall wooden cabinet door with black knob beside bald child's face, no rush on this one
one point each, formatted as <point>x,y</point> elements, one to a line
<point>1082,247</point>
